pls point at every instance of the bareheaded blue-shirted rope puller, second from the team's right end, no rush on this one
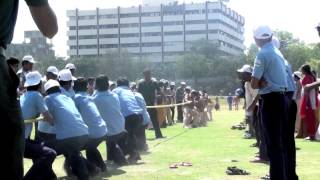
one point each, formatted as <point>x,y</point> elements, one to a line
<point>132,113</point>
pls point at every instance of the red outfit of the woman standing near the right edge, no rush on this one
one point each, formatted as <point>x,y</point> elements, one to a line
<point>306,112</point>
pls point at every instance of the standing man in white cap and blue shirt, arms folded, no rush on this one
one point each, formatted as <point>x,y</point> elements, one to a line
<point>269,76</point>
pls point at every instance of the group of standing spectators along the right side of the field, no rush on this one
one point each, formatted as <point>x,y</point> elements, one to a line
<point>280,105</point>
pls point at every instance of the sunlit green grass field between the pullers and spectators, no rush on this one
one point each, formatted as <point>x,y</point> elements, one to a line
<point>210,149</point>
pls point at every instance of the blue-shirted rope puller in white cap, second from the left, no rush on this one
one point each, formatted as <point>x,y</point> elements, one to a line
<point>71,131</point>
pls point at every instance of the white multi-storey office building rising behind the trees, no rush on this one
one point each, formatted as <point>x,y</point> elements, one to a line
<point>159,32</point>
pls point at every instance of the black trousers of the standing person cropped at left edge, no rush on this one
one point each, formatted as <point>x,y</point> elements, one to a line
<point>12,127</point>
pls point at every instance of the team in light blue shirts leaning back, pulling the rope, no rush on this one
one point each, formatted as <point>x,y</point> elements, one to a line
<point>75,118</point>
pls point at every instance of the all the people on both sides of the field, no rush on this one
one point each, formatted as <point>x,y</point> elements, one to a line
<point>81,113</point>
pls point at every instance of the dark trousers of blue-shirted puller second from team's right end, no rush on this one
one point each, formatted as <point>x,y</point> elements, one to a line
<point>132,124</point>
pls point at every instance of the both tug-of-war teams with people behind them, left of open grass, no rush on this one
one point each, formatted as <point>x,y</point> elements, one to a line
<point>80,113</point>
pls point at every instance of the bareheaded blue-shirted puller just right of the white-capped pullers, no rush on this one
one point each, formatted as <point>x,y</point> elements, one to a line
<point>91,116</point>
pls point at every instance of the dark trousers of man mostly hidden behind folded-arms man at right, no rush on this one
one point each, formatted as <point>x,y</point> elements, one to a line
<point>291,145</point>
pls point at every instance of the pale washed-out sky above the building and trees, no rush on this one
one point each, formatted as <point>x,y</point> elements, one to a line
<point>297,16</point>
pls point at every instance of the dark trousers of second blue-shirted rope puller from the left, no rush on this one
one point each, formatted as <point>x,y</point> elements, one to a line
<point>71,148</point>
